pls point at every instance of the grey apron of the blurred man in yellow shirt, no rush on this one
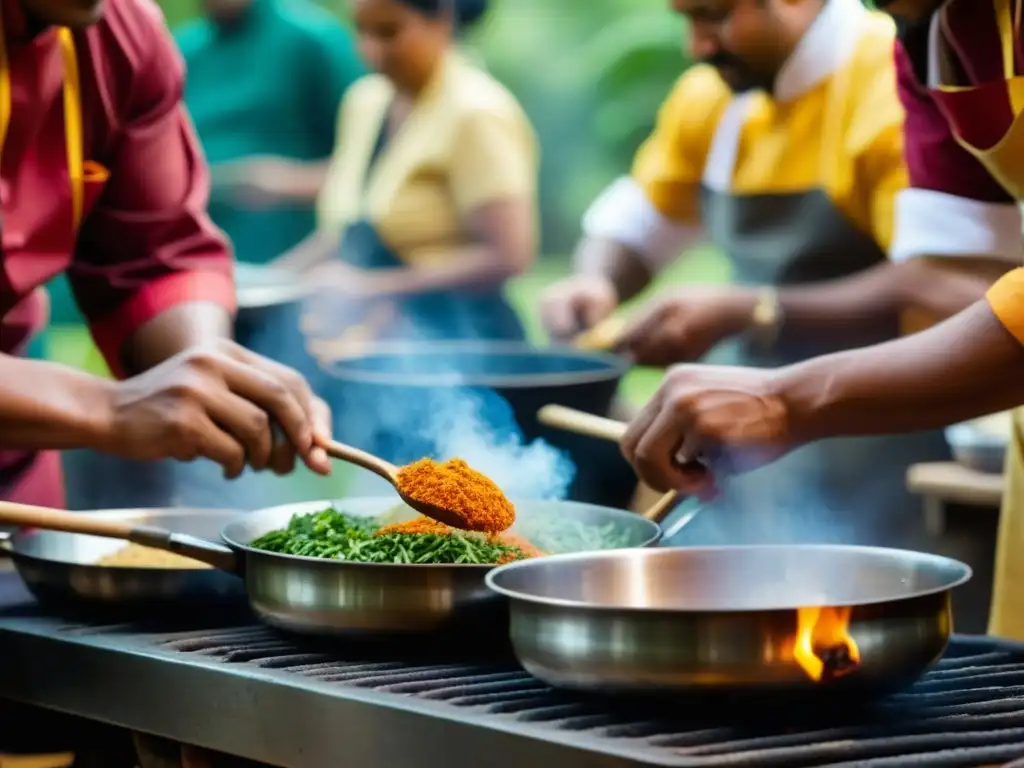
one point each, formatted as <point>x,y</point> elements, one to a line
<point>838,491</point>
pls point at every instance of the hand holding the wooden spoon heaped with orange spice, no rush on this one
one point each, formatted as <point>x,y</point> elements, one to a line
<point>223,403</point>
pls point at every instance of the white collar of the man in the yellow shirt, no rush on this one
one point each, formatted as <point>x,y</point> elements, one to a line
<point>831,39</point>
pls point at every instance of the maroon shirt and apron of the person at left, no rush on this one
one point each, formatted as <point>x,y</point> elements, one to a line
<point>146,244</point>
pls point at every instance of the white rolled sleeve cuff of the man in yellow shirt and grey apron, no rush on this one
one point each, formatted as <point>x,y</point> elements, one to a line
<point>623,214</point>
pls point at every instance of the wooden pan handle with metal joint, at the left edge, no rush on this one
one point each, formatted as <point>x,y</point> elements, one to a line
<point>27,517</point>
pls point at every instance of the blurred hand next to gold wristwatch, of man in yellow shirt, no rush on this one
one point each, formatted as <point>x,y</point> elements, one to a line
<point>686,324</point>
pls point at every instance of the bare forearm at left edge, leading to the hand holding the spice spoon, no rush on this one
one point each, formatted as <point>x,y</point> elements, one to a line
<point>45,406</point>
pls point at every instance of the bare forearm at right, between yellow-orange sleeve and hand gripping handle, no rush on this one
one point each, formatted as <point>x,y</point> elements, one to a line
<point>966,367</point>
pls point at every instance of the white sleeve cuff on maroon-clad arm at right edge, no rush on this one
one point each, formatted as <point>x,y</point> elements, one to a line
<point>934,224</point>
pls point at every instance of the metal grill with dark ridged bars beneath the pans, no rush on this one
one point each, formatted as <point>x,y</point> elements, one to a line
<point>253,693</point>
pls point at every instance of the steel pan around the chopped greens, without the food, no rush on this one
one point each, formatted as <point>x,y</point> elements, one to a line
<point>317,596</point>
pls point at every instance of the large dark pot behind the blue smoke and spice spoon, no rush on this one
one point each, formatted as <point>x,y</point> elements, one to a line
<point>390,398</point>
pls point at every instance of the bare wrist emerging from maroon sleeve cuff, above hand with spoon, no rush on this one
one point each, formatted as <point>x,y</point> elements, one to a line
<point>181,328</point>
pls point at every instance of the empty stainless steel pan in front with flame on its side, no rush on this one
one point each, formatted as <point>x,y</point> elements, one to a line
<point>729,618</point>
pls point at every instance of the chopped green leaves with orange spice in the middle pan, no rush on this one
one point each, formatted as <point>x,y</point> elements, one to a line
<point>337,536</point>
